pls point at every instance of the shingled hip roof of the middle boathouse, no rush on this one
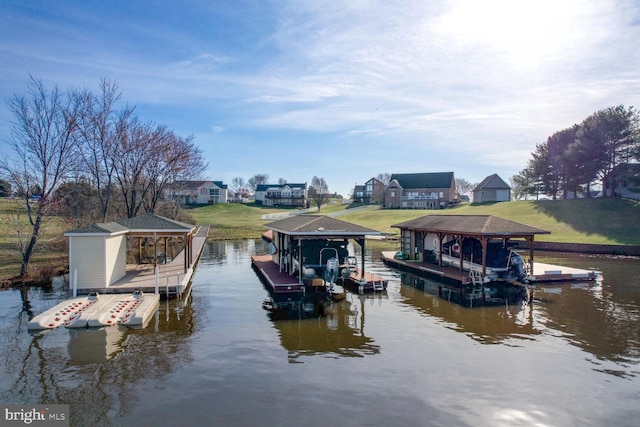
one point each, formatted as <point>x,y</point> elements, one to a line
<point>319,226</point>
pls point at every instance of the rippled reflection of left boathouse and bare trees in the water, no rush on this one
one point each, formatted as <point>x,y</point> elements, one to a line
<point>96,371</point>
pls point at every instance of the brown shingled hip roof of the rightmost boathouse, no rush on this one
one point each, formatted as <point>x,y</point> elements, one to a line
<point>471,225</point>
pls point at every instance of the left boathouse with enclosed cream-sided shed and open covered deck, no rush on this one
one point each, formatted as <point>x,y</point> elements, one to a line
<point>98,252</point>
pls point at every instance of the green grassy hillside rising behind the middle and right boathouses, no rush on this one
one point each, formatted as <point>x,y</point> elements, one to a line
<point>600,221</point>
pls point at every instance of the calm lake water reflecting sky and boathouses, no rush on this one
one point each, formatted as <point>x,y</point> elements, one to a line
<point>406,357</point>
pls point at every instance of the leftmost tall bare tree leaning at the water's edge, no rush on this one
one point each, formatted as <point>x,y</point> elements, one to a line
<point>43,135</point>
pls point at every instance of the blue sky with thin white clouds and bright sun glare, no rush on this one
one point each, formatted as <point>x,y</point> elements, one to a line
<point>343,90</point>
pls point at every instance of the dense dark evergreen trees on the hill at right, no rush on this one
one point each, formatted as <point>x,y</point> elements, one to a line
<point>572,160</point>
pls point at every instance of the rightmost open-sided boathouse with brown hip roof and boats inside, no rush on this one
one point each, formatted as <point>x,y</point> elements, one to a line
<point>422,238</point>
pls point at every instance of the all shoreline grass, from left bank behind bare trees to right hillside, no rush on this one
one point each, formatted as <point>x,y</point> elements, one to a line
<point>599,221</point>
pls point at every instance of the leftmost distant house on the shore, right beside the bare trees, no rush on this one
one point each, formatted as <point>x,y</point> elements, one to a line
<point>197,192</point>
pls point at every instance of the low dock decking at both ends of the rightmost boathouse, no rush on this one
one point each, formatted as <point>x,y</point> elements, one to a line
<point>544,273</point>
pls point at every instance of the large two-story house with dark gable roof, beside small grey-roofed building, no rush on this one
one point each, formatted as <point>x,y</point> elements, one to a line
<point>431,190</point>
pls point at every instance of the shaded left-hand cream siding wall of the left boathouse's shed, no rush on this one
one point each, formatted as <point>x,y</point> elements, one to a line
<point>88,258</point>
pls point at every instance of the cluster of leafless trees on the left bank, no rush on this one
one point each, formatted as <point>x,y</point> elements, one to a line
<point>86,155</point>
